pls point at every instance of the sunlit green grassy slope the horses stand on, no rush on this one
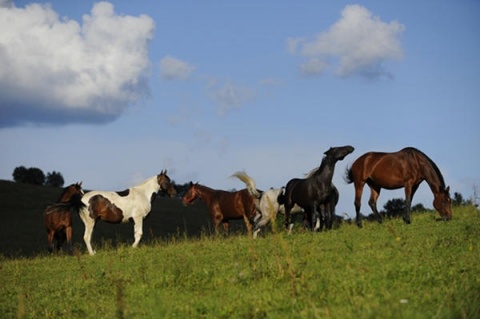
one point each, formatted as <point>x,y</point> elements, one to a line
<point>428,269</point>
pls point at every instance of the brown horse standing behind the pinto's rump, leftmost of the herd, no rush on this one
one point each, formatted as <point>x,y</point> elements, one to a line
<point>58,217</point>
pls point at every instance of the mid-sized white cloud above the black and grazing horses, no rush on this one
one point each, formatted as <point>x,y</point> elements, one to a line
<point>359,43</point>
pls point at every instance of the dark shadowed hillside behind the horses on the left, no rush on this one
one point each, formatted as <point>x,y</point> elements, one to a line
<point>22,232</point>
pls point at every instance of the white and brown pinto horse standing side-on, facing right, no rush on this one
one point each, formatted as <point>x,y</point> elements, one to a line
<point>132,204</point>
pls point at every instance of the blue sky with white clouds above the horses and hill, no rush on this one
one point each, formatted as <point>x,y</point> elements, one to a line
<point>111,93</point>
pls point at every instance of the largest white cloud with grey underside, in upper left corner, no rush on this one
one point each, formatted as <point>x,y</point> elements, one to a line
<point>54,70</point>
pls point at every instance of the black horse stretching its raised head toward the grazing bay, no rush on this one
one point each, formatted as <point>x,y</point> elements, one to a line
<point>313,192</point>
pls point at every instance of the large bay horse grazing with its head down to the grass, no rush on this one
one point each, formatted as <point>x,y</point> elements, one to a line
<point>406,168</point>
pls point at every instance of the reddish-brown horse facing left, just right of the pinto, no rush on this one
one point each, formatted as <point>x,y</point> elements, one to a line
<point>223,205</point>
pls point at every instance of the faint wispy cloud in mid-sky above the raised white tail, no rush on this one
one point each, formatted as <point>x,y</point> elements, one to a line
<point>231,96</point>
